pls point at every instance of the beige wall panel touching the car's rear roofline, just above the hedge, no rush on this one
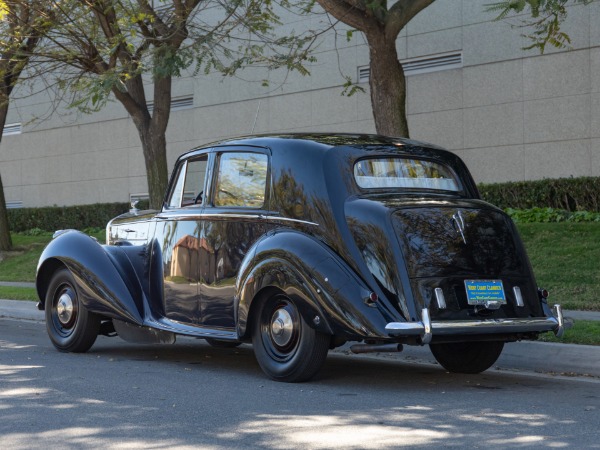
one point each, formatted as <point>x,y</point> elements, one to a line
<point>495,164</point>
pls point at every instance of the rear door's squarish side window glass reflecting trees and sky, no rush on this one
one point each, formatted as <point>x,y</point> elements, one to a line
<point>241,180</point>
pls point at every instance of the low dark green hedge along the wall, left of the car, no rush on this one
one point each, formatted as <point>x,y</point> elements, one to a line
<point>33,220</point>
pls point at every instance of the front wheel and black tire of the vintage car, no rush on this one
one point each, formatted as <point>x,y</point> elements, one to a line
<point>71,327</point>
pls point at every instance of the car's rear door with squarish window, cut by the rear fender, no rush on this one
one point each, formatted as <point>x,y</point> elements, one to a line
<point>233,221</point>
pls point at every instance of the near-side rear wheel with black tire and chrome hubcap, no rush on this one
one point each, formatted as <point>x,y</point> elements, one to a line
<point>286,348</point>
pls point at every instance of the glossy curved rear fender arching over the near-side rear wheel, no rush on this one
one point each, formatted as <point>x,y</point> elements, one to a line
<point>330,297</point>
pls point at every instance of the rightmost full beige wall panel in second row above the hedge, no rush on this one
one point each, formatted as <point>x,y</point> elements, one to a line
<point>557,119</point>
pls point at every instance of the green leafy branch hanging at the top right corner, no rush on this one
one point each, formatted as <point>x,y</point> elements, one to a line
<point>545,23</point>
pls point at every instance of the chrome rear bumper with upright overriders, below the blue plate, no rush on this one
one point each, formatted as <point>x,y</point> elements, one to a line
<point>426,328</point>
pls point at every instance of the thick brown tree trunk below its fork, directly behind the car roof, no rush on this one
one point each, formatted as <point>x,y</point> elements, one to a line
<point>388,86</point>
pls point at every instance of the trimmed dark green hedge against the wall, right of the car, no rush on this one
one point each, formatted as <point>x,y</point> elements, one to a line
<point>570,194</point>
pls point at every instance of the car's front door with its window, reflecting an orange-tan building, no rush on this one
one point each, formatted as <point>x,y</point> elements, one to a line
<point>178,235</point>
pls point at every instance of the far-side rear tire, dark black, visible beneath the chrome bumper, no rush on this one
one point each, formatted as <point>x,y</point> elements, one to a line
<point>467,357</point>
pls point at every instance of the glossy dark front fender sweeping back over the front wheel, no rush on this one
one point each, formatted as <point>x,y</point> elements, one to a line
<point>106,279</point>
